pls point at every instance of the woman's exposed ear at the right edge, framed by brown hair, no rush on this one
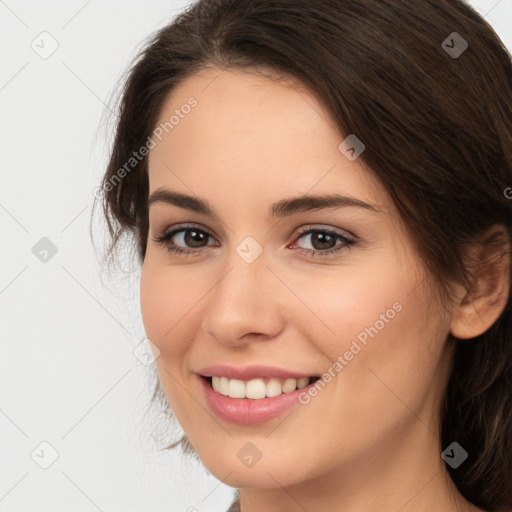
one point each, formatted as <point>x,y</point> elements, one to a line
<point>489,263</point>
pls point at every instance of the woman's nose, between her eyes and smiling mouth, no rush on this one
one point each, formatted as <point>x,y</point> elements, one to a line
<point>246,304</point>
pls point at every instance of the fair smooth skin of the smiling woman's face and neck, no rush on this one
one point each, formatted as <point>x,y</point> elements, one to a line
<point>368,441</point>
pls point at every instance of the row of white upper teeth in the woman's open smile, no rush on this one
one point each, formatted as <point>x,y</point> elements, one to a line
<point>257,388</point>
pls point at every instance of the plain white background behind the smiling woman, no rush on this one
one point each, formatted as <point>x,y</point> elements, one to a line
<point>72,367</point>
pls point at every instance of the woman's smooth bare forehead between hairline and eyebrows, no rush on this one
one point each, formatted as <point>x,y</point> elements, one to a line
<point>248,132</point>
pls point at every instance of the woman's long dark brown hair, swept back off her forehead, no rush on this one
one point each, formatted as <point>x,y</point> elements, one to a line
<point>438,134</point>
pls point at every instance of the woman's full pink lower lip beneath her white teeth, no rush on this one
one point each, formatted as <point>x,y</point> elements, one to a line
<point>246,411</point>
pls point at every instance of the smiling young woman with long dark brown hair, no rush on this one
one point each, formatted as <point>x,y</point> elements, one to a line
<point>319,193</point>
